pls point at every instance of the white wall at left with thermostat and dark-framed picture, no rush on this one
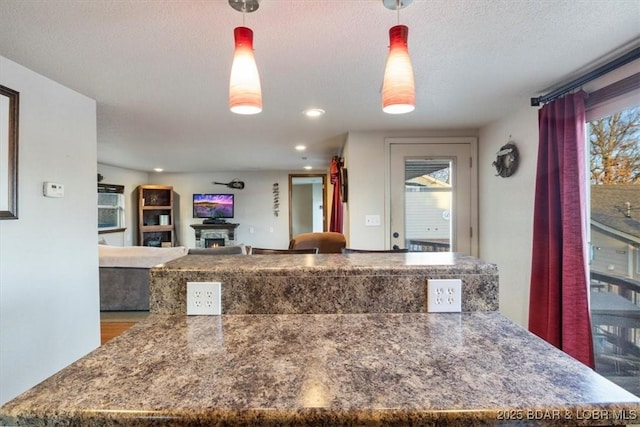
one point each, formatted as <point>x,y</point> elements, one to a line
<point>49,302</point>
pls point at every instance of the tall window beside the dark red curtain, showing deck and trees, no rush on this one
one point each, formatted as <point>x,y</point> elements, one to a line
<point>614,173</point>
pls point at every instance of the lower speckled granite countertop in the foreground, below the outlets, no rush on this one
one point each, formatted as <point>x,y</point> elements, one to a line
<point>332,369</point>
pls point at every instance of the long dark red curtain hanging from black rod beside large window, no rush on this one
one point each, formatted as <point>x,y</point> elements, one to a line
<point>559,304</point>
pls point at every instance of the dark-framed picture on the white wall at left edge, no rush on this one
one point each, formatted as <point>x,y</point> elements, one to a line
<point>9,107</point>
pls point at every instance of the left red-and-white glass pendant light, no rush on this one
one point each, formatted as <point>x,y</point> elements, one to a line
<point>245,94</point>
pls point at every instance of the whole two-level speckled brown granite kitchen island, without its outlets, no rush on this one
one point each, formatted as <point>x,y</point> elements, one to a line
<point>324,340</point>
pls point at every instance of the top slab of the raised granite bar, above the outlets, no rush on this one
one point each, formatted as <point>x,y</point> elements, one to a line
<point>335,264</point>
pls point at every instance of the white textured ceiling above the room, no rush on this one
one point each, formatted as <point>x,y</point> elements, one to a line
<point>159,69</point>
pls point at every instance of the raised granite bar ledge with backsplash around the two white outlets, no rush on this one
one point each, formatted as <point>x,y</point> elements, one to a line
<point>324,283</point>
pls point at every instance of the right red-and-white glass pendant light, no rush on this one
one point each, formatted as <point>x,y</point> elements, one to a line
<point>398,87</point>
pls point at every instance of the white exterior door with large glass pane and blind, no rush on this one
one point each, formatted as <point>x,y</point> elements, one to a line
<point>433,195</point>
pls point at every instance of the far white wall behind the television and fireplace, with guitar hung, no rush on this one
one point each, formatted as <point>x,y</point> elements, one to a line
<point>253,205</point>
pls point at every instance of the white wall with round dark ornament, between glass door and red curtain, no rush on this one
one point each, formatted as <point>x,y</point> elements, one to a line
<point>506,208</point>
